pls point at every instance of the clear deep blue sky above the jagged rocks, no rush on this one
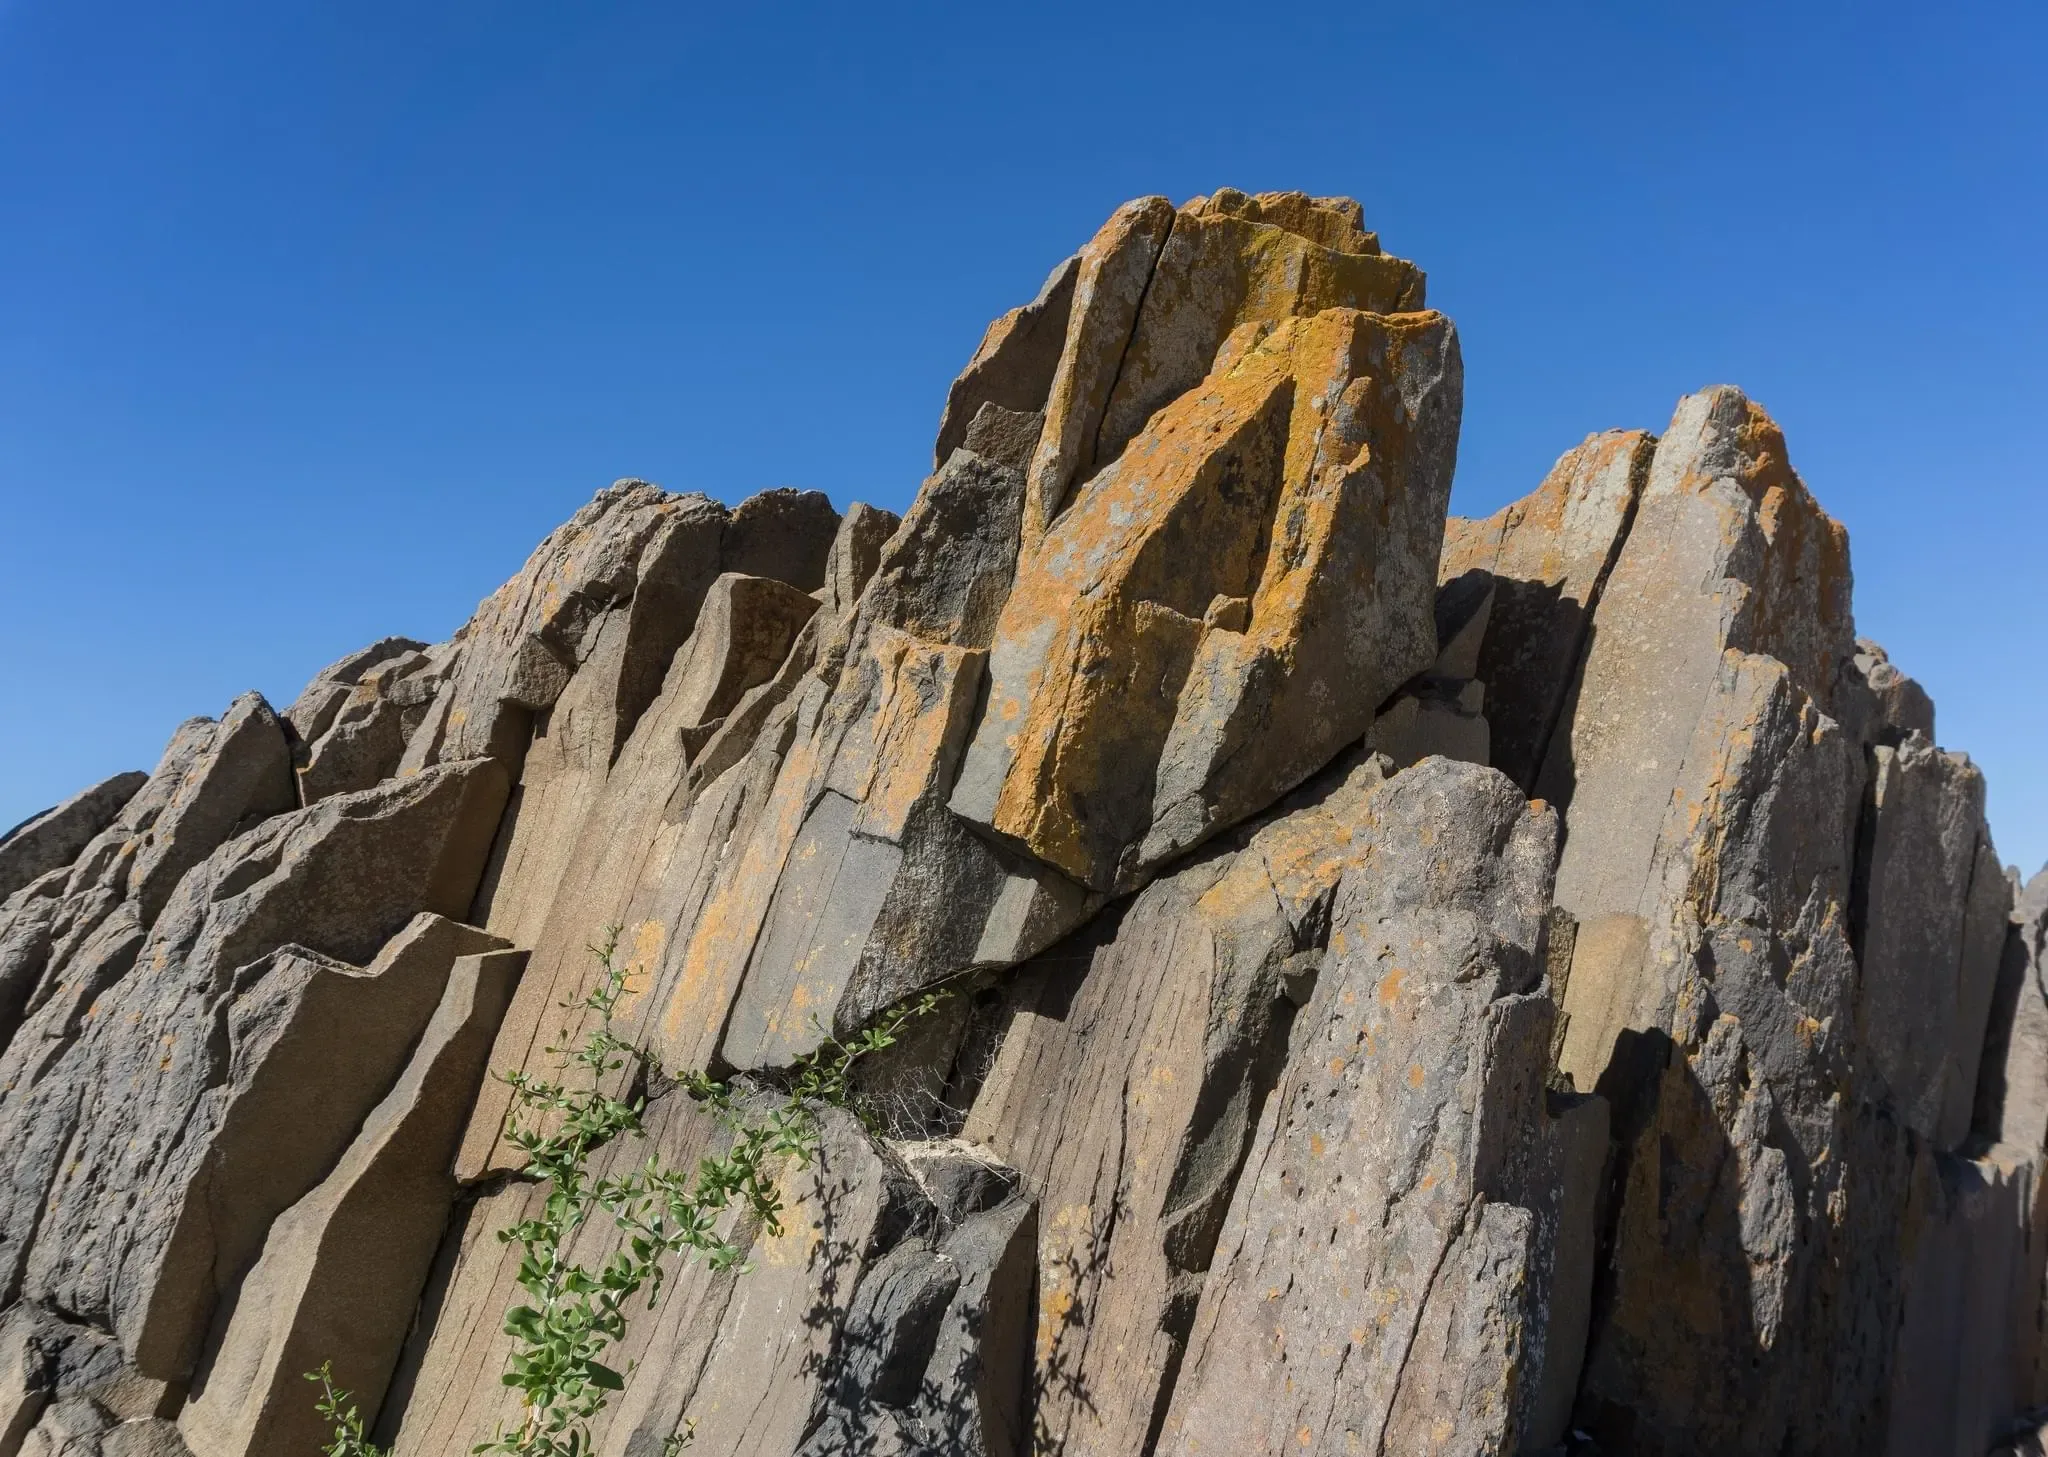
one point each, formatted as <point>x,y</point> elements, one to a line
<point>316,317</point>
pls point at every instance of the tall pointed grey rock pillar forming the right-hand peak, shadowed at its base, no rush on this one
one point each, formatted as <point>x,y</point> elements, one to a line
<point>1711,825</point>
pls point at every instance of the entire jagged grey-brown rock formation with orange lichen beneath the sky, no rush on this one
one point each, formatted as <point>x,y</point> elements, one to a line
<point>1414,987</point>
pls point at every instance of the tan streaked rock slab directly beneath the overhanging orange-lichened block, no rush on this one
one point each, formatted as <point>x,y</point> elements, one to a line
<point>1129,1075</point>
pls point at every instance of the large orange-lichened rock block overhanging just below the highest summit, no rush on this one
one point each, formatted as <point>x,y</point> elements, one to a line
<point>1123,726</point>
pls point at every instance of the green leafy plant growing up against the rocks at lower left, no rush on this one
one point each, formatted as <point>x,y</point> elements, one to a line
<point>574,1313</point>
